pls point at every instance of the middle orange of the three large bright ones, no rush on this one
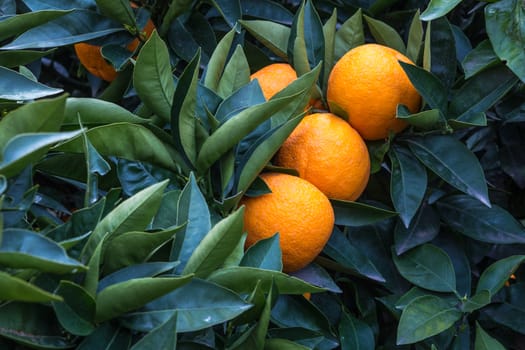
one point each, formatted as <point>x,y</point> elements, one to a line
<point>326,151</point>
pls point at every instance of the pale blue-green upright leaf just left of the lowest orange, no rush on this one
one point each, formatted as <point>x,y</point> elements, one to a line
<point>193,210</point>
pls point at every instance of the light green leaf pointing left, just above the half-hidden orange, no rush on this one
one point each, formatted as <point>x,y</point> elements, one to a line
<point>273,35</point>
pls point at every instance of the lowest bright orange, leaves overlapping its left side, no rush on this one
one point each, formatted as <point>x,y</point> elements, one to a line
<point>297,210</point>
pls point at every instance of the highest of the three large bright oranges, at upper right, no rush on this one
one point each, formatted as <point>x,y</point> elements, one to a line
<point>366,85</point>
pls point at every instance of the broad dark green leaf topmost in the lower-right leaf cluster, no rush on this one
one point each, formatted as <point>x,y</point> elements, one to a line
<point>429,267</point>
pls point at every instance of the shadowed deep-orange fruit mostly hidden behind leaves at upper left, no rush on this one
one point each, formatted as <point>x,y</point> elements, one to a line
<point>91,57</point>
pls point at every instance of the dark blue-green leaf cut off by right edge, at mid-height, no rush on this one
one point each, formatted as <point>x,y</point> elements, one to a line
<point>473,219</point>
